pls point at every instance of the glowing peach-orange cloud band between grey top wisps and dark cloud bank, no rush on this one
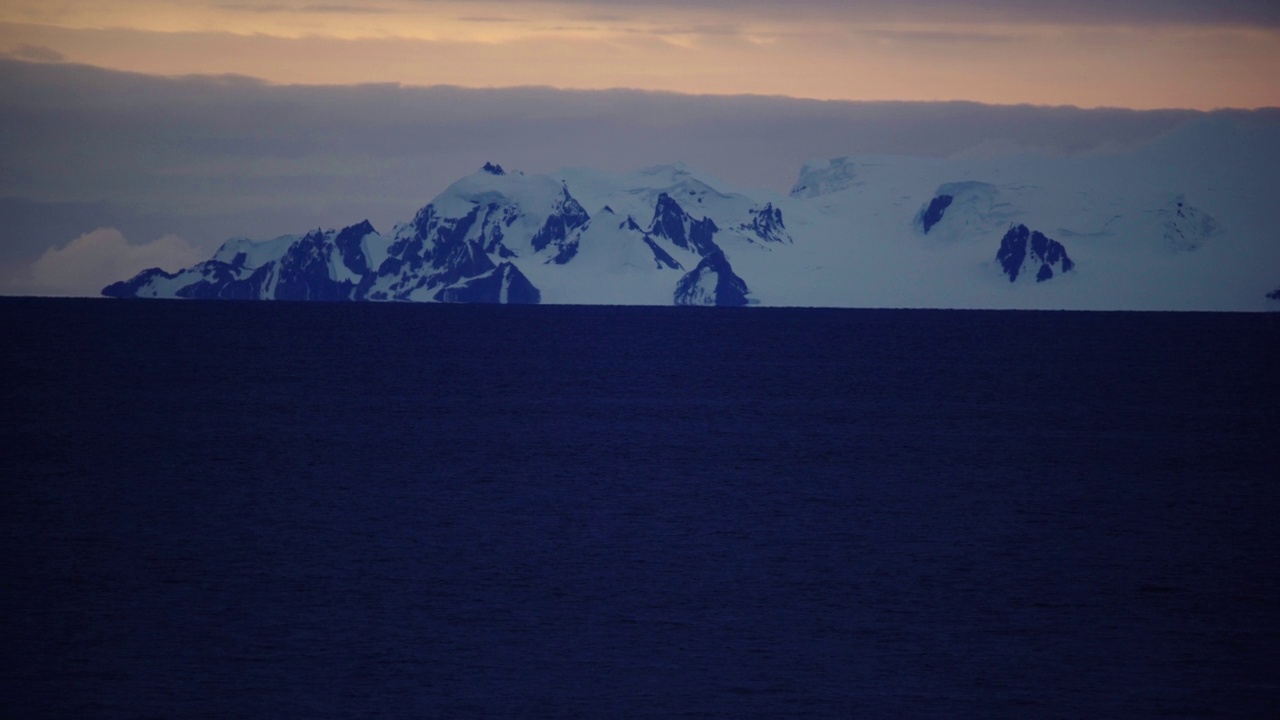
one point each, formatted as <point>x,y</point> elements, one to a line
<point>1087,67</point>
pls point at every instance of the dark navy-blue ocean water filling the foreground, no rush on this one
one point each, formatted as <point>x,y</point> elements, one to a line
<point>312,511</point>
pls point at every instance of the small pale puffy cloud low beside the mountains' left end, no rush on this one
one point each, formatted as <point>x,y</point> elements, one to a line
<point>97,259</point>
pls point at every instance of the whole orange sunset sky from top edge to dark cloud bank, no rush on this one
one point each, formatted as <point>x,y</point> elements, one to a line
<point>808,49</point>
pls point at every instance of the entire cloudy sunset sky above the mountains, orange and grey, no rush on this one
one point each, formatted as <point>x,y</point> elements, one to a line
<point>145,133</point>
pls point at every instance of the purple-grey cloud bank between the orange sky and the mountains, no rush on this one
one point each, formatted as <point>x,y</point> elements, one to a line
<point>208,158</point>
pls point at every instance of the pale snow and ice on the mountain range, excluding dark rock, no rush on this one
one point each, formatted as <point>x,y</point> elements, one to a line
<point>858,241</point>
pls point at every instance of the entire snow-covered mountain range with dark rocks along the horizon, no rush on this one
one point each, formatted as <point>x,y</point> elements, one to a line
<point>1187,222</point>
